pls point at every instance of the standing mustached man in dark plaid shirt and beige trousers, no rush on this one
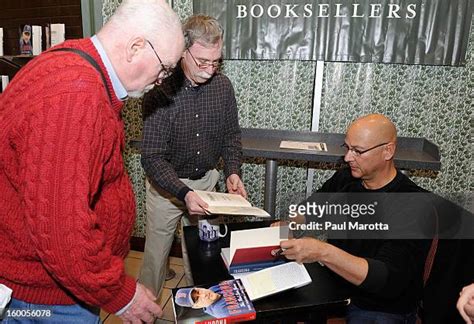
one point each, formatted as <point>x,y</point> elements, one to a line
<point>190,122</point>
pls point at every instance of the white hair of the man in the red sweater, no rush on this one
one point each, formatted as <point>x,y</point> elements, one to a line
<point>150,18</point>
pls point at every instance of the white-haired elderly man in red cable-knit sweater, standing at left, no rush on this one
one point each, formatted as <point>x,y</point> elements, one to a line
<point>66,203</point>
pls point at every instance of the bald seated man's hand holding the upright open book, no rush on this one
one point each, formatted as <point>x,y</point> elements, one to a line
<point>304,250</point>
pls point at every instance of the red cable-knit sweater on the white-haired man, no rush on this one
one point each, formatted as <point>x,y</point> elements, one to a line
<point>66,203</point>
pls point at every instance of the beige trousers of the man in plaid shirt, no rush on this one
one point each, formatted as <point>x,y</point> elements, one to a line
<point>163,213</point>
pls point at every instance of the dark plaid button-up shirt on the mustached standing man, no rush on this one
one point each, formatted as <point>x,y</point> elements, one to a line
<point>187,129</point>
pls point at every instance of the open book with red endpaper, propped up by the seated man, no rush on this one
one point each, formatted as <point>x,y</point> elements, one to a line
<point>254,249</point>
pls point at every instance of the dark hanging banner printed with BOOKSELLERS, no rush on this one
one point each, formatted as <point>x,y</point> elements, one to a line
<point>389,31</point>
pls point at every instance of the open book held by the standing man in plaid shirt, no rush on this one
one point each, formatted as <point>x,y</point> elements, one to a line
<point>229,204</point>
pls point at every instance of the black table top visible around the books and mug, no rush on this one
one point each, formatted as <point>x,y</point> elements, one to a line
<point>326,290</point>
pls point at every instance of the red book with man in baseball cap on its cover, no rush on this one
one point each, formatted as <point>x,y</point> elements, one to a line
<point>225,302</point>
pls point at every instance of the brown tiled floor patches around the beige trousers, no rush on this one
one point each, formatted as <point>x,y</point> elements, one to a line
<point>133,262</point>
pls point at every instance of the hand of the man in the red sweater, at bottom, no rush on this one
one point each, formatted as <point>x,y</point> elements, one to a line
<point>143,307</point>
